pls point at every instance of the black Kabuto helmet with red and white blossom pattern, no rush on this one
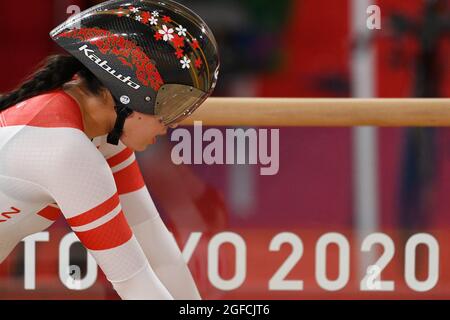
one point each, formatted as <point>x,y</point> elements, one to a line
<point>155,57</point>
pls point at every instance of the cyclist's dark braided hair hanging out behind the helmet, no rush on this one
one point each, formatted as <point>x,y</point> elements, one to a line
<point>54,72</point>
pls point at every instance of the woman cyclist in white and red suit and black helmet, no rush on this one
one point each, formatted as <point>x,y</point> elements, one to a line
<point>68,133</point>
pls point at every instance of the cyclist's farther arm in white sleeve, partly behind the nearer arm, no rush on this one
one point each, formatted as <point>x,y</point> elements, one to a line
<point>157,242</point>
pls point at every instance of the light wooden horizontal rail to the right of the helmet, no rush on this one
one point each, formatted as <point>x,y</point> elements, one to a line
<point>293,112</point>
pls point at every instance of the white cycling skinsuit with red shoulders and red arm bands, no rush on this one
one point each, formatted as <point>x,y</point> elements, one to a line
<point>49,167</point>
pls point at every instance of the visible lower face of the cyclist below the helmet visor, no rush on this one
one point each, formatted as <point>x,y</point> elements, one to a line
<point>141,130</point>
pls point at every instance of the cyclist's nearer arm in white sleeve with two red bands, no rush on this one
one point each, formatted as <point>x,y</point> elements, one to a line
<point>81,183</point>
